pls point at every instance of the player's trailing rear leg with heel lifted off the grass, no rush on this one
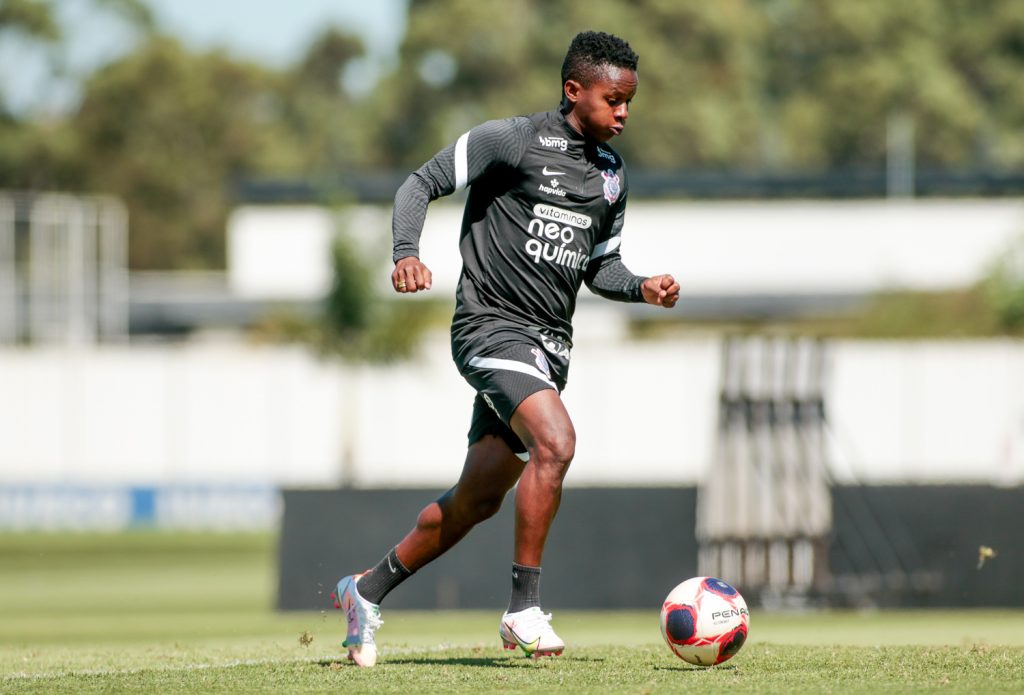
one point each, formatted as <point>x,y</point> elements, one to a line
<point>490,471</point>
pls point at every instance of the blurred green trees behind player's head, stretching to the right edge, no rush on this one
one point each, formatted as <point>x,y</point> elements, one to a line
<point>733,84</point>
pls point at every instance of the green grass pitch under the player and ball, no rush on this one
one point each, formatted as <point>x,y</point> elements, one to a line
<point>151,613</point>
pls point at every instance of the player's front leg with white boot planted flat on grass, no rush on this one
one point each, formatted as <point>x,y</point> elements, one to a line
<point>544,426</point>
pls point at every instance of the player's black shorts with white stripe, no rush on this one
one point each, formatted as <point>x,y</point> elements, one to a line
<point>506,369</point>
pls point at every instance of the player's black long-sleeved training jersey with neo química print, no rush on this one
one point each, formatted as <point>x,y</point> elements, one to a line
<point>545,214</point>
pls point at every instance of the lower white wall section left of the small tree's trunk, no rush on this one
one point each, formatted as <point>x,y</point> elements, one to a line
<point>151,415</point>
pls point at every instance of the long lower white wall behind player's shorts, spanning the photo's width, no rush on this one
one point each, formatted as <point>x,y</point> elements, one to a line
<point>645,414</point>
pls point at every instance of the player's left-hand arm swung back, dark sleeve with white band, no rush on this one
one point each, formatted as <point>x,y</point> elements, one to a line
<point>491,145</point>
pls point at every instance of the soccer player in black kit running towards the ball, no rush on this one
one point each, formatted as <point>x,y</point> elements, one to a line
<point>545,214</point>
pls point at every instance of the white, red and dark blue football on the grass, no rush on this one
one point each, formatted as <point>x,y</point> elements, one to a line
<point>705,621</point>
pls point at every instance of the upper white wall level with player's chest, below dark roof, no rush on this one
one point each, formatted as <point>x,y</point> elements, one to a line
<point>715,248</point>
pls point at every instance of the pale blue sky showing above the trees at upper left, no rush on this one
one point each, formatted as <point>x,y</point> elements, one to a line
<point>273,32</point>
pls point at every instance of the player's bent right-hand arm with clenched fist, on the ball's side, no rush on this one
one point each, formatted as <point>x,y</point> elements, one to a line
<point>609,277</point>
